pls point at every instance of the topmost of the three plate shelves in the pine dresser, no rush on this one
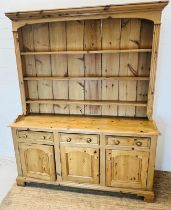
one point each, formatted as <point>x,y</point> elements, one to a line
<point>86,52</point>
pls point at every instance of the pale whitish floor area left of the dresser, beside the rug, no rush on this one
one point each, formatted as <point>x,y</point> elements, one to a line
<point>8,173</point>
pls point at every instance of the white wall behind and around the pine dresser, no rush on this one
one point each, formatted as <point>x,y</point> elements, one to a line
<point>9,91</point>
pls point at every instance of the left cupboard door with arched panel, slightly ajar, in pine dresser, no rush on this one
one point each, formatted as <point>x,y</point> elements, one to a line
<point>37,161</point>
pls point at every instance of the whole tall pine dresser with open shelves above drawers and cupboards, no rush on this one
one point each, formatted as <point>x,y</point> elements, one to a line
<point>87,82</point>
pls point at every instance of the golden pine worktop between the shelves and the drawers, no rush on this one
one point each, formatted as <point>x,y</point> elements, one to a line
<point>120,126</point>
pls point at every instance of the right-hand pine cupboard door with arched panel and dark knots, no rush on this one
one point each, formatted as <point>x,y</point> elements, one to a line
<point>126,168</point>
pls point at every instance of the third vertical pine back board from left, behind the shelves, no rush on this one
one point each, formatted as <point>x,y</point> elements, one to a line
<point>58,41</point>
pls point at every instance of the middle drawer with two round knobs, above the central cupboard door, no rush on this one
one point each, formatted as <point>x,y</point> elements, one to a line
<point>80,138</point>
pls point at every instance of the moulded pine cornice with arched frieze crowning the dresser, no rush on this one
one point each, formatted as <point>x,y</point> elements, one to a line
<point>140,10</point>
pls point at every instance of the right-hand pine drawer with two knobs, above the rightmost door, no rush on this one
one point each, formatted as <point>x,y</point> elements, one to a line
<point>128,141</point>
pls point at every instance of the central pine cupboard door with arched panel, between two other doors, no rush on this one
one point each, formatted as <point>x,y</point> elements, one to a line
<point>80,164</point>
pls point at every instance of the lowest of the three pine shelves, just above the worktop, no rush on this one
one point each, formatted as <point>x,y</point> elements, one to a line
<point>90,102</point>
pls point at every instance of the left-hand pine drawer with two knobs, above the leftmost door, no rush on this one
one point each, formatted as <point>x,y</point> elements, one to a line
<point>35,135</point>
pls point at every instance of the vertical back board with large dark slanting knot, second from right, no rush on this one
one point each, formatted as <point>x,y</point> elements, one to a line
<point>130,35</point>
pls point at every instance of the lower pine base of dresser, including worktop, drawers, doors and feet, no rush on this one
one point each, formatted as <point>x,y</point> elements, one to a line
<point>71,148</point>
